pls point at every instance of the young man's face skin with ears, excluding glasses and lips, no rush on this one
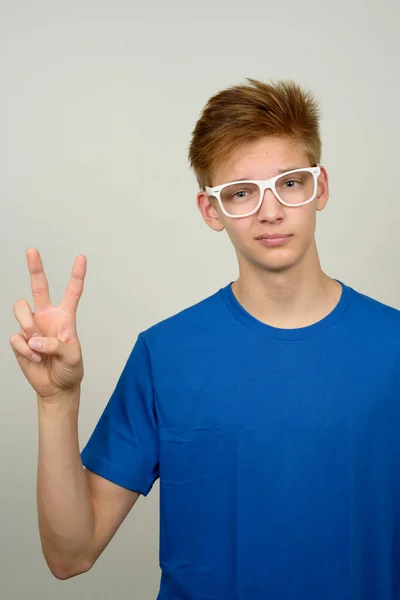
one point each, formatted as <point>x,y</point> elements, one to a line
<point>264,159</point>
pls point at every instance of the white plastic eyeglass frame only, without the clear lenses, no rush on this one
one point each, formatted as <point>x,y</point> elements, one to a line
<point>265,184</point>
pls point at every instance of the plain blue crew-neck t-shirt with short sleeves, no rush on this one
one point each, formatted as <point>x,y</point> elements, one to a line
<point>277,450</point>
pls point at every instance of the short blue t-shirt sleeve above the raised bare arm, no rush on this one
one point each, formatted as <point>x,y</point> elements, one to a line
<point>123,447</point>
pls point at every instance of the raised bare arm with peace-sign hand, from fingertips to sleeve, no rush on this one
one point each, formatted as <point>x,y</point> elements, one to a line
<point>78,511</point>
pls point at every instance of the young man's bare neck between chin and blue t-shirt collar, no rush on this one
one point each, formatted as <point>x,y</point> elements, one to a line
<point>290,299</point>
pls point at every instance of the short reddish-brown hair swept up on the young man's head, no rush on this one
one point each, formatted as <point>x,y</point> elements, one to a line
<point>245,113</point>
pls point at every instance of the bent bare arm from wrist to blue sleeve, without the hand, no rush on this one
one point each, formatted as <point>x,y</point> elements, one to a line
<point>79,512</point>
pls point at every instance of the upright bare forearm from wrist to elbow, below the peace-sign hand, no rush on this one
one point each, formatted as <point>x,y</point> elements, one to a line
<point>64,507</point>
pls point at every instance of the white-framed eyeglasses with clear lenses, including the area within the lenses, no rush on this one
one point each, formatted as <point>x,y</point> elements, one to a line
<point>243,198</point>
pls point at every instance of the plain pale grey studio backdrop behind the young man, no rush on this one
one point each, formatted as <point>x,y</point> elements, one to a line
<point>98,101</point>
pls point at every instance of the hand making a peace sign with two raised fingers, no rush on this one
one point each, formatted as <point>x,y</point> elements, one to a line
<point>47,347</point>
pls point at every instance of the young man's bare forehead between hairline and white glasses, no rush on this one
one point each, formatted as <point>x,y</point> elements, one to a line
<point>261,159</point>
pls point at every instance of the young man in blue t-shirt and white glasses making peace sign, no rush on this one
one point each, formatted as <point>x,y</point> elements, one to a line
<point>270,411</point>
